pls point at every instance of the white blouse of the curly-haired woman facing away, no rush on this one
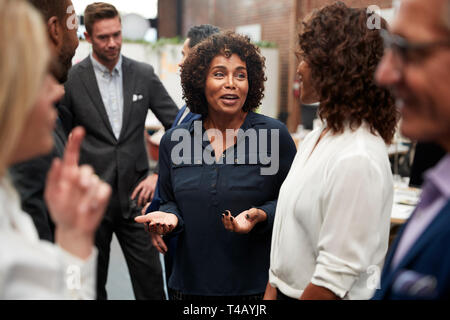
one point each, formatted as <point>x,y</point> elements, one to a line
<point>332,219</point>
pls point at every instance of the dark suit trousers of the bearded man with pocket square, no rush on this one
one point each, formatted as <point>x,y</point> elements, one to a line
<point>141,257</point>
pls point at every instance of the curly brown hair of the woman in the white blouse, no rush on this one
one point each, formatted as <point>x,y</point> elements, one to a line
<point>343,54</point>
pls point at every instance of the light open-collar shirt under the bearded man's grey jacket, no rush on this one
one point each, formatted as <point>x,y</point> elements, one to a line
<point>110,85</point>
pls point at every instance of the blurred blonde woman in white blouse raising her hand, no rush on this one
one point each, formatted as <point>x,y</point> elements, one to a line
<point>30,268</point>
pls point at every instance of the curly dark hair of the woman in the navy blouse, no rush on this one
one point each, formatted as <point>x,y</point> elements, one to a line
<point>196,66</point>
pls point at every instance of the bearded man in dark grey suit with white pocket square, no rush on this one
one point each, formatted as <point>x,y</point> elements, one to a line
<point>109,95</point>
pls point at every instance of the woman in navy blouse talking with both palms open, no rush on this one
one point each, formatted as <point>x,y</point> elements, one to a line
<point>221,197</point>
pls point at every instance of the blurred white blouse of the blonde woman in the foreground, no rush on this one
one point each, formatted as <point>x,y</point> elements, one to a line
<point>31,268</point>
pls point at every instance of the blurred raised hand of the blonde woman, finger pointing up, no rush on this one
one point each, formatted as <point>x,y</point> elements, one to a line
<point>76,198</point>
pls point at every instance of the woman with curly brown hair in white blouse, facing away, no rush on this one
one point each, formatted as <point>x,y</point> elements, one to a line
<point>332,220</point>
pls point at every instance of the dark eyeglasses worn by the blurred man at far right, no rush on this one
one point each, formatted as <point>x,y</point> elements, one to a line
<point>407,51</point>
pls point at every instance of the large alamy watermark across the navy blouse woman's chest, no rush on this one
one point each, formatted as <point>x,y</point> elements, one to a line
<point>250,147</point>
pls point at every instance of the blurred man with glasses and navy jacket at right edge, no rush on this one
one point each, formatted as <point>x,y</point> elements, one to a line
<point>416,66</point>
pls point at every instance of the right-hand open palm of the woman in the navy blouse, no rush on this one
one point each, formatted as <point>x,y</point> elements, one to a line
<point>245,221</point>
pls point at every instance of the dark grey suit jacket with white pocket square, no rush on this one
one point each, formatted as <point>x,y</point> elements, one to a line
<point>123,162</point>
